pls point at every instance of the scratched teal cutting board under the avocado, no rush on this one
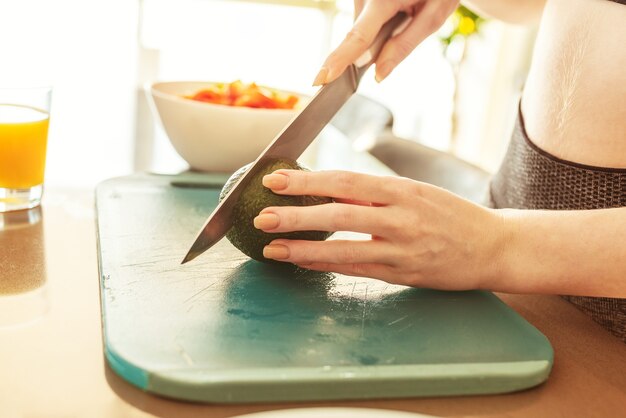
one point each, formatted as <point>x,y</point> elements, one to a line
<point>225,328</point>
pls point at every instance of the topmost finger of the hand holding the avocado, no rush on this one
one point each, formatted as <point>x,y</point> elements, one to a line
<point>335,184</point>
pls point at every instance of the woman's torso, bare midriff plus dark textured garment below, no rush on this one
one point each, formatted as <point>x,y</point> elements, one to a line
<point>568,148</point>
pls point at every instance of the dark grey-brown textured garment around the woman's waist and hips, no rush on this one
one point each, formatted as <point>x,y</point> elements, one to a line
<point>530,178</point>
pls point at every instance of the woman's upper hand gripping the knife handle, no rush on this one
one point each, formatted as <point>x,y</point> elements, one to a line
<point>371,15</point>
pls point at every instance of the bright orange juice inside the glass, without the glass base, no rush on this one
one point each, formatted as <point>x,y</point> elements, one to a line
<point>23,140</point>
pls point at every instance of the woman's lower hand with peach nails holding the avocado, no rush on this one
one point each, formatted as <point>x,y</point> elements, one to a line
<point>421,235</point>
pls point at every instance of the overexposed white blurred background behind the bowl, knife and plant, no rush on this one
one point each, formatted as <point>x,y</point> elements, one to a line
<point>457,92</point>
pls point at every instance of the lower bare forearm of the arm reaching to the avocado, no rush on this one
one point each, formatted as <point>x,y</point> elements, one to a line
<point>564,252</point>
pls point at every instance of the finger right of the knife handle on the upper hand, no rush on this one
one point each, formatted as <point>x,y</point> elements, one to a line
<point>426,21</point>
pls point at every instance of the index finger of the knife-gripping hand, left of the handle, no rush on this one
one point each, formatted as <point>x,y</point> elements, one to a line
<point>357,41</point>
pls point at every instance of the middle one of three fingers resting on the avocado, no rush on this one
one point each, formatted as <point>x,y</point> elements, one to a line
<point>330,217</point>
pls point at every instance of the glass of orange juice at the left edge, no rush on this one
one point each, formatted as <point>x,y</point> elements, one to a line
<point>24,118</point>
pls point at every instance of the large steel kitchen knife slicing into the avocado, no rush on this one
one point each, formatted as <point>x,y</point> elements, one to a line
<point>295,137</point>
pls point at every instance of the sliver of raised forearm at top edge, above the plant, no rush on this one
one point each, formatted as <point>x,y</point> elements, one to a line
<point>511,11</point>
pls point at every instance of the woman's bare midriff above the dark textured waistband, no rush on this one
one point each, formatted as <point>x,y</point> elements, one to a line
<point>574,102</point>
